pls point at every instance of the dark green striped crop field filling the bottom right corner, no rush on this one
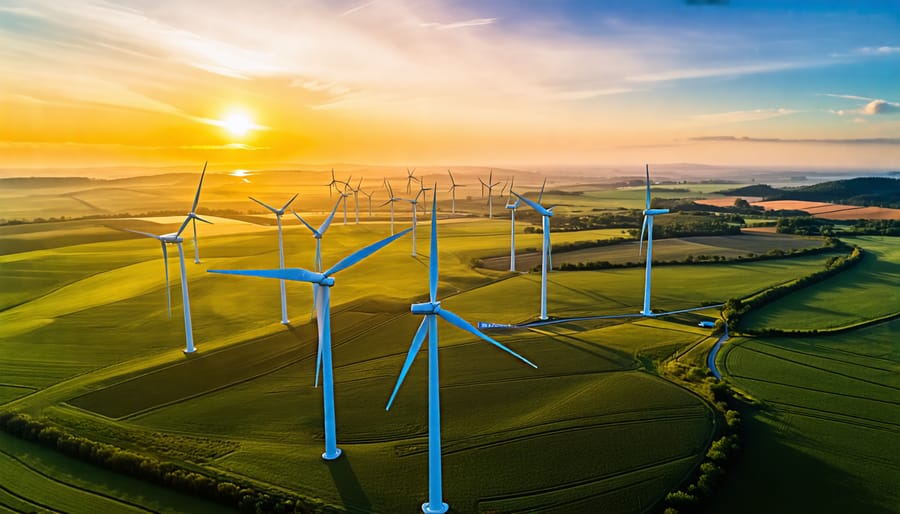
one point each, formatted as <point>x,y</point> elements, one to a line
<point>833,418</point>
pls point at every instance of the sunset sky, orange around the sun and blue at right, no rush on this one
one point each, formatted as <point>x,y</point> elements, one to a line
<point>428,82</point>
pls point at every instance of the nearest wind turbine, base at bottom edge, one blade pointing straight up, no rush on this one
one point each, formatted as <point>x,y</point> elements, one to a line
<point>432,310</point>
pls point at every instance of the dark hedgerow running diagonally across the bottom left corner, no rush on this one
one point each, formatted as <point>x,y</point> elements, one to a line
<point>244,497</point>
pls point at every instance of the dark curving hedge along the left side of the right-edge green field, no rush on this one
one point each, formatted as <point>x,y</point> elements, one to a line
<point>735,308</point>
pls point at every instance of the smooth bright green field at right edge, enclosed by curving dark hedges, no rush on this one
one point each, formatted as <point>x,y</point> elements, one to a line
<point>866,291</point>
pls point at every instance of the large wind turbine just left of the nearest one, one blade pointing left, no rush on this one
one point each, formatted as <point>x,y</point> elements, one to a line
<point>323,305</point>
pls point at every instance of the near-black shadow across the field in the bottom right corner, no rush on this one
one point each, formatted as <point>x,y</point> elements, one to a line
<point>773,474</point>
